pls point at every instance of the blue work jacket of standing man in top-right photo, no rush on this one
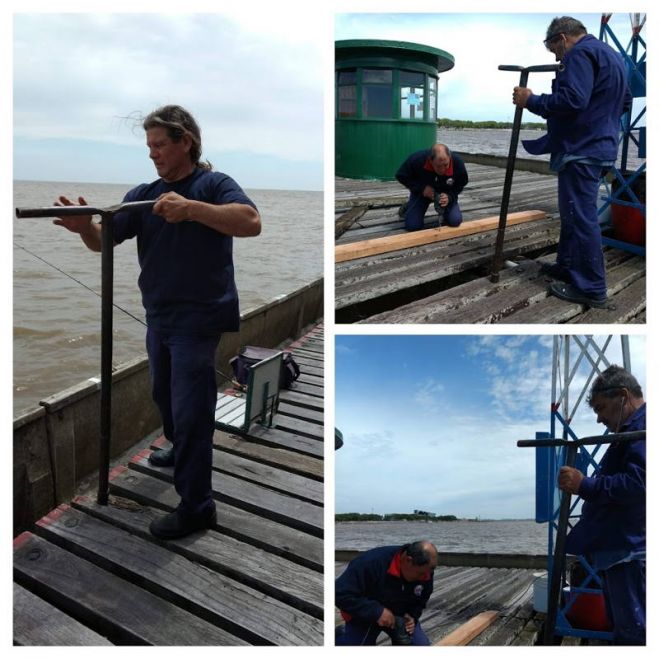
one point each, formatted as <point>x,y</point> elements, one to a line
<point>588,97</point>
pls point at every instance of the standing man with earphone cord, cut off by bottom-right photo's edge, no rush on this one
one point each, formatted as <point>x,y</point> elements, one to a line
<point>611,531</point>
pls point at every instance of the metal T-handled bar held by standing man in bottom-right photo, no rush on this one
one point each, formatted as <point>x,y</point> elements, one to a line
<point>558,563</point>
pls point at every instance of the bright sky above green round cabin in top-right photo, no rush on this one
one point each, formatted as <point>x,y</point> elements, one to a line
<point>474,89</point>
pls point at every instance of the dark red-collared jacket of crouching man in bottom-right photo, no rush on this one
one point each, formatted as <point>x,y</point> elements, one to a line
<point>372,582</point>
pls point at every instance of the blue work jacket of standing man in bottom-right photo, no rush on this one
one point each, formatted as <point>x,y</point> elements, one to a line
<point>613,513</point>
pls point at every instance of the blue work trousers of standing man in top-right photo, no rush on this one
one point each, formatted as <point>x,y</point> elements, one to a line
<point>580,242</point>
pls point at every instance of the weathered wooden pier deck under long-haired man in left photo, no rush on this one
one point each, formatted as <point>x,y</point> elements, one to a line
<point>93,575</point>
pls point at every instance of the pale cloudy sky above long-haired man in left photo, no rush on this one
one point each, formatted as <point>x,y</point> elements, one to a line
<point>80,82</point>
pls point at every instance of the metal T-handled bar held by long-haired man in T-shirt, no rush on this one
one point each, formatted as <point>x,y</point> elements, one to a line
<point>107,271</point>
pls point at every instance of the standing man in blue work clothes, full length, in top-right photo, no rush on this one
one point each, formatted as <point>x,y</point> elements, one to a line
<point>589,95</point>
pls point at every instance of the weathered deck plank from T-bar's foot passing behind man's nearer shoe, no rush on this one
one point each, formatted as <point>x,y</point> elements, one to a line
<point>267,534</point>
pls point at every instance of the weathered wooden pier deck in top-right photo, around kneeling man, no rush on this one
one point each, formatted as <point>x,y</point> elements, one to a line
<point>447,282</point>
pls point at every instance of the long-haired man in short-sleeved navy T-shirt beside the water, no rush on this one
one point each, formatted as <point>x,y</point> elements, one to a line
<point>184,247</point>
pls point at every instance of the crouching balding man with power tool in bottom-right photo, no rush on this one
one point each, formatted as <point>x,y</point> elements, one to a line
<point>385,590</point>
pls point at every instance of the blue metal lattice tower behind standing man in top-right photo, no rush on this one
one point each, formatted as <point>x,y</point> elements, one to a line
<point>623,207</point>
